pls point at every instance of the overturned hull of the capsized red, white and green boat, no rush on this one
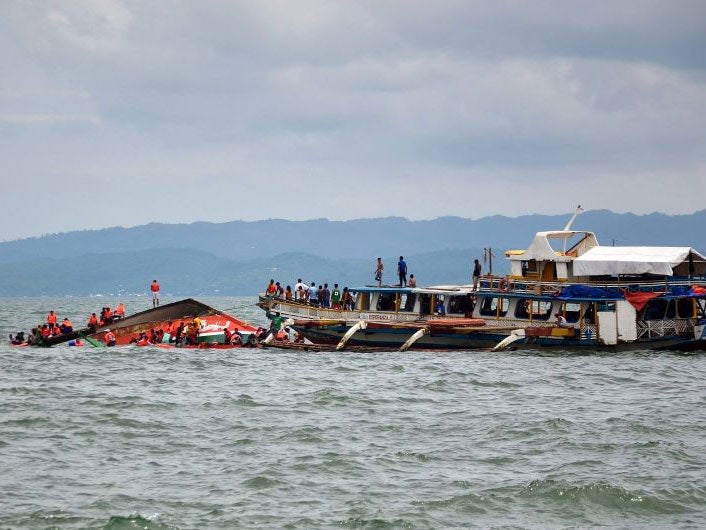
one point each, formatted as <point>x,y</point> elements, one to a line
<point>168,316</point>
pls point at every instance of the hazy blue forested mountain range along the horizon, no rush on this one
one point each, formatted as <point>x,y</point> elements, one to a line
<point>239,257</point>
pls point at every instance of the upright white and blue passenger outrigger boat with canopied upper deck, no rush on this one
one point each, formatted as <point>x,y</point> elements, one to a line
<point>618,298</point>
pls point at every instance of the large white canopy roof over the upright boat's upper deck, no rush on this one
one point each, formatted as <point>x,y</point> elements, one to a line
<point>599,261</point>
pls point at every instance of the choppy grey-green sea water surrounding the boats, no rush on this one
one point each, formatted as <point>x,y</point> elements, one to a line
<point>150,438</point>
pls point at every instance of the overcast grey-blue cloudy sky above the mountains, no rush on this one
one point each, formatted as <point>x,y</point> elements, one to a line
<point>122,112</point>
